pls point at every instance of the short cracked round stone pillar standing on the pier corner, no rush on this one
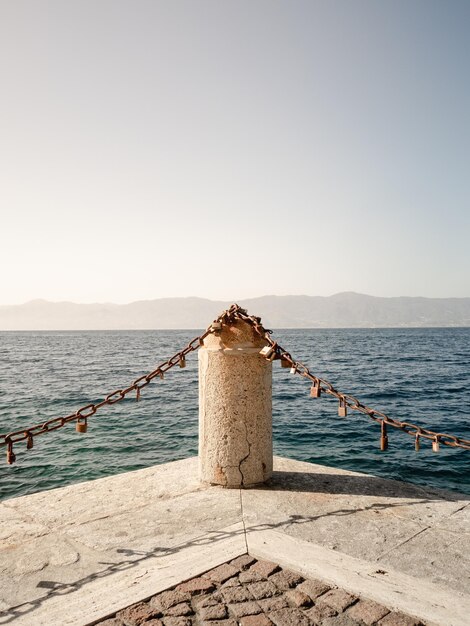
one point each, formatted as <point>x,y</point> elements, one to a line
<point>235,408</point>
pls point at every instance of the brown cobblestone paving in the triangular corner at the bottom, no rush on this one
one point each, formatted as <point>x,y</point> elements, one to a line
<point>247,592</point>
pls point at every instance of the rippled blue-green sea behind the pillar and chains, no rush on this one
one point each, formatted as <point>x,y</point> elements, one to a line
<point>418,375</point>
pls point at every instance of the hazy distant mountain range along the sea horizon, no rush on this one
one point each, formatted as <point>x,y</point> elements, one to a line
<point>343,310</point>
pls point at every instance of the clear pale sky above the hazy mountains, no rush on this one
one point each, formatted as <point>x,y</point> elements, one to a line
<point>232,149</point>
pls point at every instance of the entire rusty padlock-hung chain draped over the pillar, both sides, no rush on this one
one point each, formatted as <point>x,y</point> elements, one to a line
<point>271,352</point>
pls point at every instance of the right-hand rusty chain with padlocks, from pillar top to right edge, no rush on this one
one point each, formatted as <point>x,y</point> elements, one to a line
<point>274,351</point>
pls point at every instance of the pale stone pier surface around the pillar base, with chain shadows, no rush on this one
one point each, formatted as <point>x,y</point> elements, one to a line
<point>78,554</point>
